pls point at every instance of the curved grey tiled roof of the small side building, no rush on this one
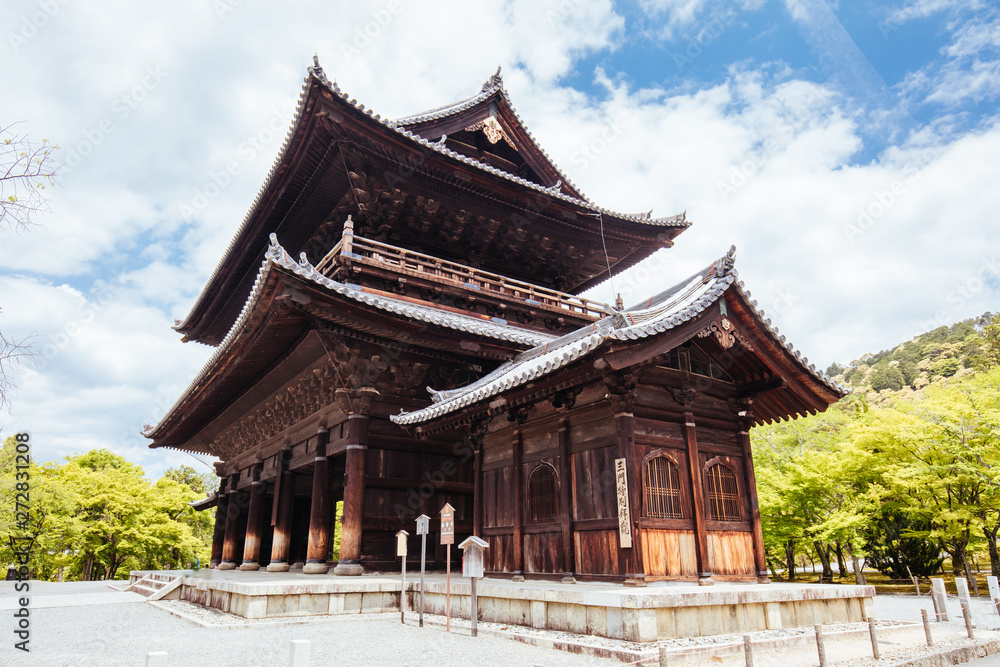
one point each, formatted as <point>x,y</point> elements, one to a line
<point>657,315</point>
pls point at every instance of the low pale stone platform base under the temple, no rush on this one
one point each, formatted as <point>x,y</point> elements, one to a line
<point>659,611</point>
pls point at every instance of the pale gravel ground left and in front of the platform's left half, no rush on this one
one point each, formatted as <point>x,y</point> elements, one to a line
<point>110,632</point>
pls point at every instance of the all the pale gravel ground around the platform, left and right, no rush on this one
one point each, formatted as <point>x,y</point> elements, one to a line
<point>85,623</point>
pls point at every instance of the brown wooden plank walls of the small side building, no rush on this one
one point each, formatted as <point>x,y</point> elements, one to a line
<point>668,545</point>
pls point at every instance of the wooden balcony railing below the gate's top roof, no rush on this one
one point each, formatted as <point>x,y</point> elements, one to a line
<point>355,249</point>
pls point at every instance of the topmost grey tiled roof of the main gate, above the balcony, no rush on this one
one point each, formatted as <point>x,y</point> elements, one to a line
<point>307,180</point>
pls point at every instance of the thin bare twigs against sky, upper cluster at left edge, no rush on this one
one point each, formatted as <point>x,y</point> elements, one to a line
<point>26,169</point>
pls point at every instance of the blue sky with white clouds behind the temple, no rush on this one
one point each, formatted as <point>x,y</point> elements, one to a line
<point>847,149</point>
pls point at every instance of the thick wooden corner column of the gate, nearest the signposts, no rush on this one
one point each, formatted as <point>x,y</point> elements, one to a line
<point>356,404</point>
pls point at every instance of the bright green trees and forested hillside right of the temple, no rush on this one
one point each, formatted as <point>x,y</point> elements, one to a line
<point>904,472</point>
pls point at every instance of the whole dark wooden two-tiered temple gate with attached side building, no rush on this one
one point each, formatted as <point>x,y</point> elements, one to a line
<point>398,325</point>
